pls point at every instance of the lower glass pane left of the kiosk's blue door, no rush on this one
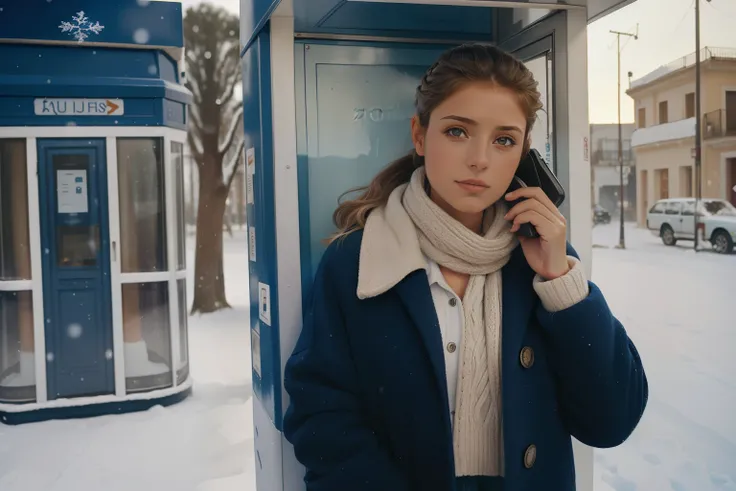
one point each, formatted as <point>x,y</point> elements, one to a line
<point>17,360</point>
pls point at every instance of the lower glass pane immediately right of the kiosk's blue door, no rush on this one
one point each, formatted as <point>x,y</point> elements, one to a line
<point>147,336</point>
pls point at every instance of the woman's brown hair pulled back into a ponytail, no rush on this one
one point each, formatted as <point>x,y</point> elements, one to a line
<point>457,66</point>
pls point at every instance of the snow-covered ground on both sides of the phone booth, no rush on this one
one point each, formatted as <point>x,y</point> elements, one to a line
<point>675,304</point>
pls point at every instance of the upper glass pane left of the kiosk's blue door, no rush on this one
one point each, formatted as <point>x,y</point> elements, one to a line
<point>15,257</point>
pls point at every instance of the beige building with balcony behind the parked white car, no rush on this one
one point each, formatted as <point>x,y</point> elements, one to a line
<point>663,142</point>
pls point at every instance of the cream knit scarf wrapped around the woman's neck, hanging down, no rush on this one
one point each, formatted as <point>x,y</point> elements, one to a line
<point>477,437</point>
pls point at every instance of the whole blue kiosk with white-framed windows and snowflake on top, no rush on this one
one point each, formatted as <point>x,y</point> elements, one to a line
<point>93,310</point>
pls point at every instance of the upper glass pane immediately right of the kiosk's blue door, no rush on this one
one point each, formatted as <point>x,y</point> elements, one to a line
<point>142,205</point>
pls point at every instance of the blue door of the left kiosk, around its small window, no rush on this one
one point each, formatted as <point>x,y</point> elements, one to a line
<point>56,279</point>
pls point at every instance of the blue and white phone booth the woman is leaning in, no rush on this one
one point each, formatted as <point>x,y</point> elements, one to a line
<point>329,91</point>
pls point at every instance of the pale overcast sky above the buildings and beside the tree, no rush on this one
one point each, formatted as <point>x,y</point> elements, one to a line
<point>664,36</point>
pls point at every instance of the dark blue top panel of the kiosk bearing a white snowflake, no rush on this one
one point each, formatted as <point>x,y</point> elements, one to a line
<point>132,22</point>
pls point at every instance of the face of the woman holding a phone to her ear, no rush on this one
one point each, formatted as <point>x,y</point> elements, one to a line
<point>471,148</point>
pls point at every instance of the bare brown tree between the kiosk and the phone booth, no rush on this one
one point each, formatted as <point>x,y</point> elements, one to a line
<point>212,46</point>
